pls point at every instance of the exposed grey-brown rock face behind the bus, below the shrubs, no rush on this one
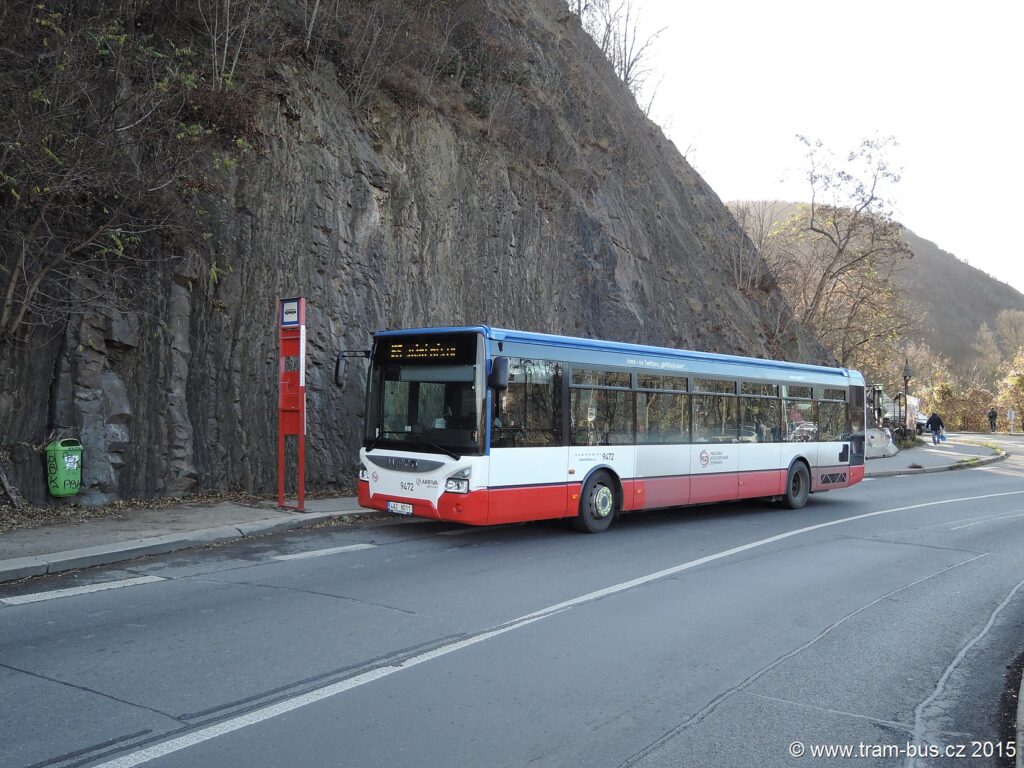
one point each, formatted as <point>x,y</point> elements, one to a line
<point>566,211</point>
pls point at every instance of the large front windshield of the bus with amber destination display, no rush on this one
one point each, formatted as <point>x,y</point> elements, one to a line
<point>426,396</point>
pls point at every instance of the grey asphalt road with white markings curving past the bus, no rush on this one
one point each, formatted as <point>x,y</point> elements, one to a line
<point>876,618</point>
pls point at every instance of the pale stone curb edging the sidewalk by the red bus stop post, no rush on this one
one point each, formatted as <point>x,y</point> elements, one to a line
<point>57,563</point>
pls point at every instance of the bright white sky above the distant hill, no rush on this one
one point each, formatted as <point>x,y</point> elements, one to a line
<point>738,80</point>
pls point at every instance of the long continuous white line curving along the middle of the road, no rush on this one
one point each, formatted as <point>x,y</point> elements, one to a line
<point>273,711</point>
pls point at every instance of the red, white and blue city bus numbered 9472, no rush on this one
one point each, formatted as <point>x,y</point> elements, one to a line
<point>486,426</point>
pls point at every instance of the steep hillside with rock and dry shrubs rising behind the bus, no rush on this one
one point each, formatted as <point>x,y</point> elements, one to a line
<point>479,163</point>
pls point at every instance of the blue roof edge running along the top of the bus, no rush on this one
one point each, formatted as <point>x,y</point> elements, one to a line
<point>596,346</point>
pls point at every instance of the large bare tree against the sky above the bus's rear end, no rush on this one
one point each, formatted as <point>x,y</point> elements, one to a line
<point>836,258</point>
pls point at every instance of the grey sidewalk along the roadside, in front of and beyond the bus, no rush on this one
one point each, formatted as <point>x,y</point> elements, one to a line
<point>52,549</point>
